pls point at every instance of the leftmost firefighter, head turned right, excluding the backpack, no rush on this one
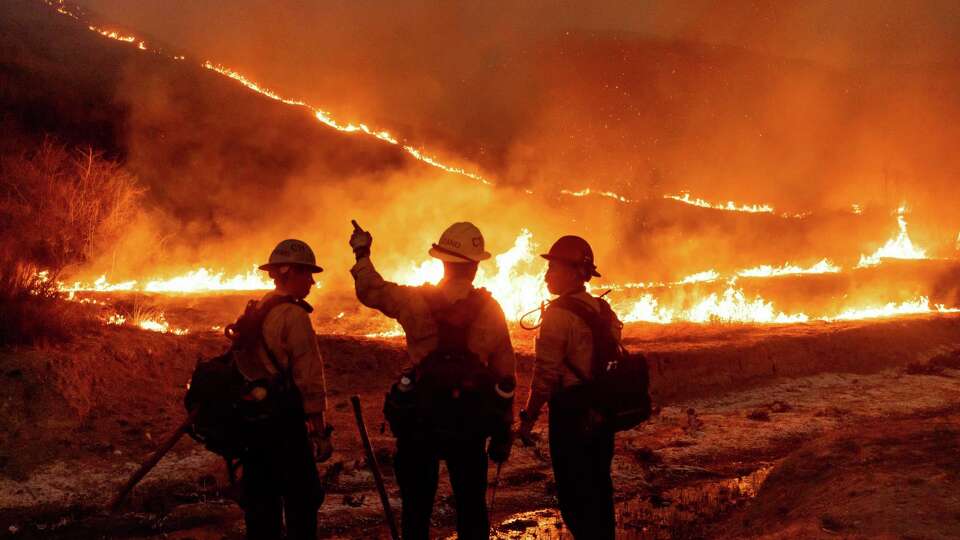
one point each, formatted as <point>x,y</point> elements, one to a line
<point>280,482</point>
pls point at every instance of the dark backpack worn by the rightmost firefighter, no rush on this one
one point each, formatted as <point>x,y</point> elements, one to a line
<point>618,386</point>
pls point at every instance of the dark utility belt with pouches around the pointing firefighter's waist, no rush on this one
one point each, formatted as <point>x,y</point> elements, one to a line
<point>413,411</point>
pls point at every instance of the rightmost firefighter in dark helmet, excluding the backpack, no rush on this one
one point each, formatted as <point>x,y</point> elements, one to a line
<point>581,445</point>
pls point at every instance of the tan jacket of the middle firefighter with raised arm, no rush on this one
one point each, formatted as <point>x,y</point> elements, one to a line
<point>488,337</point>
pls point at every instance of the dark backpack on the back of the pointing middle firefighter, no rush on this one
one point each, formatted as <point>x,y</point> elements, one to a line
<point>454,390</point>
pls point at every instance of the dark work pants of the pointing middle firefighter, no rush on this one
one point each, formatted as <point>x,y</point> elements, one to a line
<point>417,466</point>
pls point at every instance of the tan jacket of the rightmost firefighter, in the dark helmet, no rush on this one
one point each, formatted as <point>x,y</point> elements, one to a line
<point>562,335</point>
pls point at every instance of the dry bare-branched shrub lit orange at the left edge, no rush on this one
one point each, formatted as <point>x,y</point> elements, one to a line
<point>58,207</point>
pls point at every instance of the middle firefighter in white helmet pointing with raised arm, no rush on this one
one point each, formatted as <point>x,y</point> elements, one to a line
<point>444,419</point>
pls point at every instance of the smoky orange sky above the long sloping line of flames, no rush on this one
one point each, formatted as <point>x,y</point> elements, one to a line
<point>780,101</point>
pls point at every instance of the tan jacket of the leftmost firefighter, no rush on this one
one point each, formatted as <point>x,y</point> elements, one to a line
<point>289,334</point>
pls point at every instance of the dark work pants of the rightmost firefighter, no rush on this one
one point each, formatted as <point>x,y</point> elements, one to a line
<point>581,466</point>
